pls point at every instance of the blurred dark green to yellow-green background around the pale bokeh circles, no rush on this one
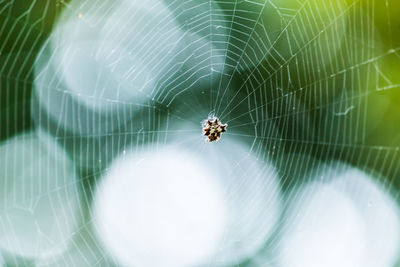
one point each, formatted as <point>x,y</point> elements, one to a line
<point>319,79</point>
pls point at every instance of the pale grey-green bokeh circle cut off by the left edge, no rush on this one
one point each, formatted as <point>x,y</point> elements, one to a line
<point>39,203</point>
